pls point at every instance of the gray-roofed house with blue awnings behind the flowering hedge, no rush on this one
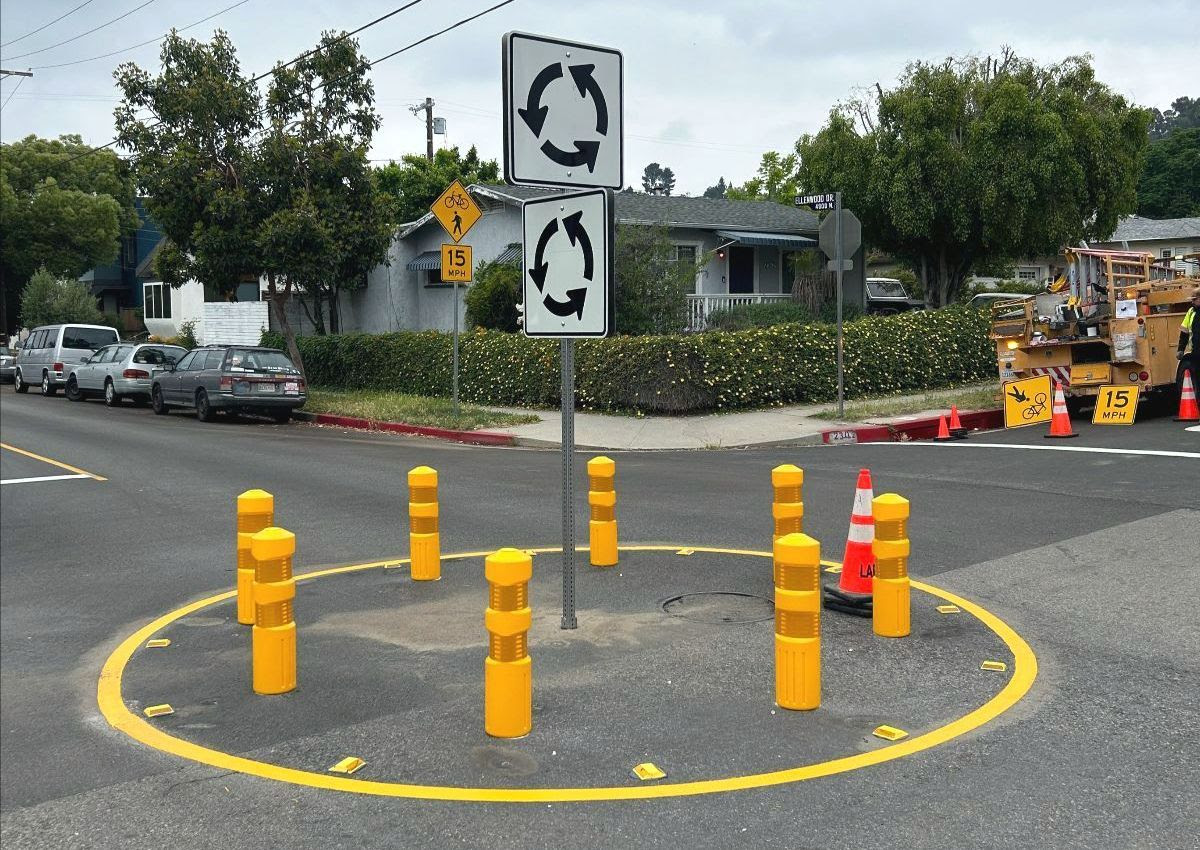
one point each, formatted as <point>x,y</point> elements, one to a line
<point>742,249</point>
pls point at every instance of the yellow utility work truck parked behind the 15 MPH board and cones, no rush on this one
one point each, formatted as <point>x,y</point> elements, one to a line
<point>1112,320</point>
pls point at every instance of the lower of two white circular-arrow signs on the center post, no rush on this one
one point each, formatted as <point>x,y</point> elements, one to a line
<point>568,280</point>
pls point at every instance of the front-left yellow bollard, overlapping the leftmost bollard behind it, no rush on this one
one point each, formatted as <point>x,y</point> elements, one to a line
<point>274,637</point>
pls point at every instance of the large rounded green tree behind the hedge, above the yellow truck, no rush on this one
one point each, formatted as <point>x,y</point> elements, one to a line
<point>979,161</point>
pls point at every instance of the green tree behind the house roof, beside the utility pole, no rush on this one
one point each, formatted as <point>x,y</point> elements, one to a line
<point>415,184</point>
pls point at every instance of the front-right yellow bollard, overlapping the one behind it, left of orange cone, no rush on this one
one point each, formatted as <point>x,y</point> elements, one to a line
<point>797,622</point>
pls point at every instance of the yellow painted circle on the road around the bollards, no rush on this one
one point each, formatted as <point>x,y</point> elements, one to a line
<point>117,714</point>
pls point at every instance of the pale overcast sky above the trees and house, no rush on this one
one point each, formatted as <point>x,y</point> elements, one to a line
<point>710,86</point>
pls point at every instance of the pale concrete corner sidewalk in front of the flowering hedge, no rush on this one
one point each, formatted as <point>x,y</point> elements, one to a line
<point>771,427</point>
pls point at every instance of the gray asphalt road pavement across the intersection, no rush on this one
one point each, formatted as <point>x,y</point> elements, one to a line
<point>1089,555</point>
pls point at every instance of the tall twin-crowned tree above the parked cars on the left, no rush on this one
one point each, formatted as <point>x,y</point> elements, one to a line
<point>291,200</point>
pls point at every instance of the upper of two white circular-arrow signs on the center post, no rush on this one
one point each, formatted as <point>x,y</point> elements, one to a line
<point>563,113</point>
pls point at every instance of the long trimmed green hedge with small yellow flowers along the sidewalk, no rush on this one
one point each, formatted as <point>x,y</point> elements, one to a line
<point>680,374</point>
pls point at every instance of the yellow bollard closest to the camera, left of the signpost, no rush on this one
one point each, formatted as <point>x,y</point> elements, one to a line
<point>508,671</point>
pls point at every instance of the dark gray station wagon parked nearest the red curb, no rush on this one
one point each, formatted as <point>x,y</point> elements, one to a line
<point>233,380</point>
